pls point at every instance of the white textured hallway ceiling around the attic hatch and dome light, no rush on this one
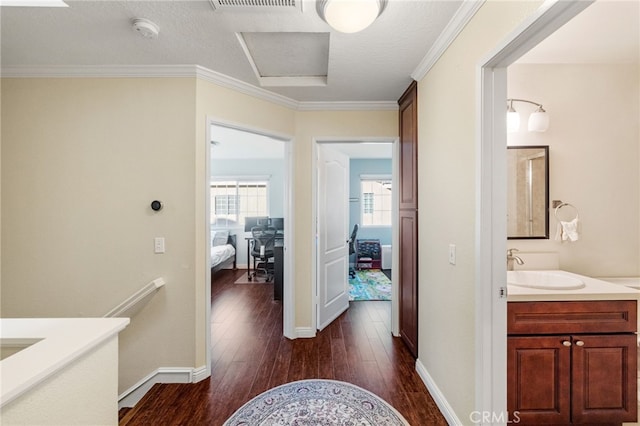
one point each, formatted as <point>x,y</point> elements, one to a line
<point>371,66</point>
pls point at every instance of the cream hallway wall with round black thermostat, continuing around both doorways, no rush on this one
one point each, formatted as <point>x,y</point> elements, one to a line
<point>83,158</point>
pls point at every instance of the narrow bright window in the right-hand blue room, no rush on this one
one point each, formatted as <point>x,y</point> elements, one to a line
<point>375,193</point>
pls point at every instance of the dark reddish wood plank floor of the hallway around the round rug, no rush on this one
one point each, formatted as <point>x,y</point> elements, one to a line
<point>250,355</point>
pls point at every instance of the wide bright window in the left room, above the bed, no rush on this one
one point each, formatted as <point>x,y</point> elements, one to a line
<point>233,200</point>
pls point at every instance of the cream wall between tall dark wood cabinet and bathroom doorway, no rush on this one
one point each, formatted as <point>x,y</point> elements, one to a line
<point>447,120</point>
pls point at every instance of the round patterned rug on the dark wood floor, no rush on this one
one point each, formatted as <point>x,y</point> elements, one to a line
<point>316,402</point>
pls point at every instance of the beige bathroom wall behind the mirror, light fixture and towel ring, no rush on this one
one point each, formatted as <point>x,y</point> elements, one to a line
<point>594,144</point>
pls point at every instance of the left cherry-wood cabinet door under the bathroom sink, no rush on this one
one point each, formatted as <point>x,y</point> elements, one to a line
<point>538,379</point>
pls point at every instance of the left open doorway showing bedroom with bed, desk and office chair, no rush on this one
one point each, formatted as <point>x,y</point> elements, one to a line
<point>248,187</point>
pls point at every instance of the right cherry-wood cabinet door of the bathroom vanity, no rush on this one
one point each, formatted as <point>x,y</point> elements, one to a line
<point>604,378</point>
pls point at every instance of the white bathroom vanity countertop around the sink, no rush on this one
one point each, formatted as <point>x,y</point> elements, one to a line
<point>594,289</point>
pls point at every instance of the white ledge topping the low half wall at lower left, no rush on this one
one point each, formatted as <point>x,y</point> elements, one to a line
<point>58,343</point>
